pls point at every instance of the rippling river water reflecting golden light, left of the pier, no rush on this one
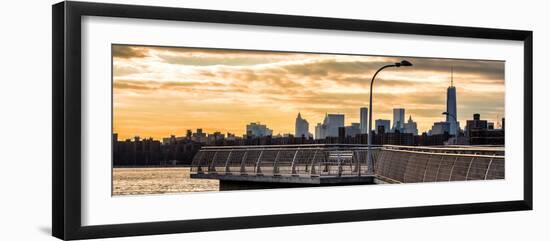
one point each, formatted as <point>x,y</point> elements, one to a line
<point>153,180</point>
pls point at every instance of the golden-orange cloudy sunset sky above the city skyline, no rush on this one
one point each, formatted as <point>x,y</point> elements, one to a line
<point>159,91</point>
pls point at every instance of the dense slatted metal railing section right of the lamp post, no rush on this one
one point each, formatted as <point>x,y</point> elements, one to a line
<point>414,164</point>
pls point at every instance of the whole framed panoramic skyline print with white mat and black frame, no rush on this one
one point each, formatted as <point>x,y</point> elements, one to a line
<point>169,120</point>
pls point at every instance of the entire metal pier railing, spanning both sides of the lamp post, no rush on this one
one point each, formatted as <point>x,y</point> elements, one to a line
<point>396,163</point>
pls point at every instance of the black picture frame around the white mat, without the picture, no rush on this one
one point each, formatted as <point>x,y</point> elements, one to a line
<point>66,157</point>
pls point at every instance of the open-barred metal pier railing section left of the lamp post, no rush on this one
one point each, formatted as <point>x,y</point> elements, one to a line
<point>282,160</point>
